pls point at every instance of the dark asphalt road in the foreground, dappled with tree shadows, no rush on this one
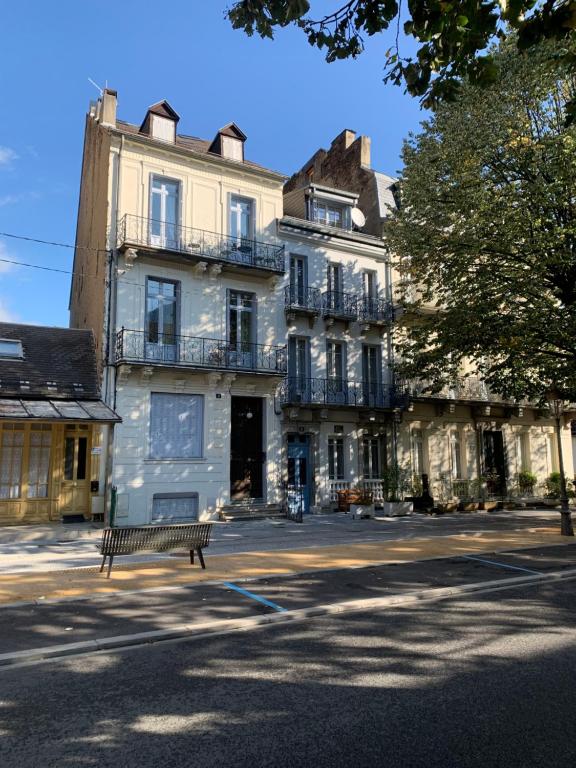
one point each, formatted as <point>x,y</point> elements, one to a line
<point>483,681</point>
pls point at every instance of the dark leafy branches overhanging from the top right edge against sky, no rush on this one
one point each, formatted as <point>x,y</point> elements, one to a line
<point>452,35</point>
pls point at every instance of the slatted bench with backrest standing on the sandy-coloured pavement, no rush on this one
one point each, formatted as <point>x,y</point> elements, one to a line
<point>154,538</point>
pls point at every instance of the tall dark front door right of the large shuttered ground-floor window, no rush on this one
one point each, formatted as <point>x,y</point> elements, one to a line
<point>246,450</point>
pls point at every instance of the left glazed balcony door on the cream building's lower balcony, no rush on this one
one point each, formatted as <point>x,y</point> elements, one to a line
<point>160,335</point>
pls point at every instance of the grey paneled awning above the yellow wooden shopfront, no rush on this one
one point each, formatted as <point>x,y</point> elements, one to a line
<point>94,411</point>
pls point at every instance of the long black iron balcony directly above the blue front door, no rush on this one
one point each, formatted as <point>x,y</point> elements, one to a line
<point>337,393</point>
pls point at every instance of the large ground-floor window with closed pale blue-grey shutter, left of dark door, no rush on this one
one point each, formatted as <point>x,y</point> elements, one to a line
<point>176,426</point>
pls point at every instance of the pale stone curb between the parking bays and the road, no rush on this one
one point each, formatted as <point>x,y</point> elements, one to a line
<point>215,628</point>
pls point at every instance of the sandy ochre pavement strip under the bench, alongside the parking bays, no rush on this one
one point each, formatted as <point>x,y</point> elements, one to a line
<point>175,570</point>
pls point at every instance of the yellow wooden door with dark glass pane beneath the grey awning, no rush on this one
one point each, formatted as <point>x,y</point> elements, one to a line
<point>75,484</point>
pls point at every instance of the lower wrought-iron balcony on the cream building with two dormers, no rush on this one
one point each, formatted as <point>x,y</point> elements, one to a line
<point>197,353</point>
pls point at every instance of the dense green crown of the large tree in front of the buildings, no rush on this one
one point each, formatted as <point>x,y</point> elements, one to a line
<point>487,229</point>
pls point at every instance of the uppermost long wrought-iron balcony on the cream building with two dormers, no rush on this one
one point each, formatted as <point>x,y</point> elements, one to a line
<point>199,245</point>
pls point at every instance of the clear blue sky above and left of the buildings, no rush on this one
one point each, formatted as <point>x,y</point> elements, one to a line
<point>282,94</point>
